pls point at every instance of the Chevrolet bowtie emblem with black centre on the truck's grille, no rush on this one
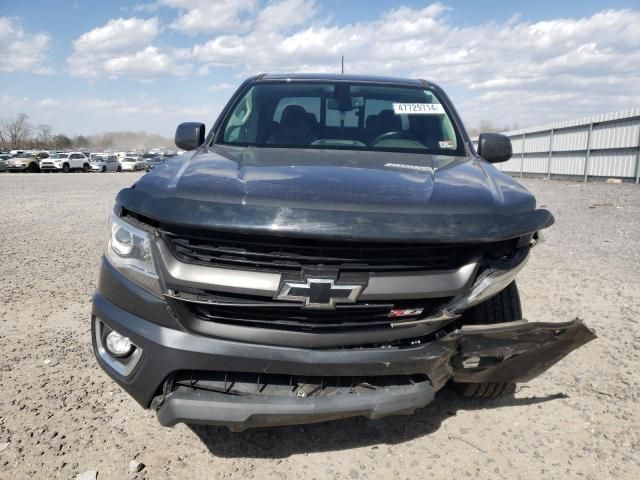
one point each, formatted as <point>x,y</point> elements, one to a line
<point>319,292</point>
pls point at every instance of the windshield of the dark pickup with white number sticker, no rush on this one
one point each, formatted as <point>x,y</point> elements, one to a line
<point>342,115</point>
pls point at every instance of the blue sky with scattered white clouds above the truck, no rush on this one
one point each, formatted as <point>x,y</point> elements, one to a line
<point>85,67</point>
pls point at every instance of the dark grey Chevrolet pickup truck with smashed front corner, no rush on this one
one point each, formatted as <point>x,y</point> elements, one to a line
<point>336,247</point>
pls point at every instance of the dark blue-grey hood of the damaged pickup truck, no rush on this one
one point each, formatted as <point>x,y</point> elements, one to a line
<point>338,194</point>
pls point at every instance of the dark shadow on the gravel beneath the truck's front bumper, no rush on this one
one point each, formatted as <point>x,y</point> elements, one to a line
<point>281,442</point>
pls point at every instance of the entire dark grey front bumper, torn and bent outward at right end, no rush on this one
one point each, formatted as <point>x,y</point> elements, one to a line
<point>513,352</point>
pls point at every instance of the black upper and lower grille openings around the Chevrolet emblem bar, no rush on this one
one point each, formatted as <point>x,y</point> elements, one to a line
<point>207,312</point>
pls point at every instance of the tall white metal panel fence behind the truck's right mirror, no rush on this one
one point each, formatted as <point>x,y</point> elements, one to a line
<point>606,145</point>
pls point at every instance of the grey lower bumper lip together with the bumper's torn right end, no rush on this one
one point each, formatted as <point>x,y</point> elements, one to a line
<point>511,352</point>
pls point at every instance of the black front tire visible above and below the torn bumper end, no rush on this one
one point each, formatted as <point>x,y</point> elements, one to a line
<point>504,307</point>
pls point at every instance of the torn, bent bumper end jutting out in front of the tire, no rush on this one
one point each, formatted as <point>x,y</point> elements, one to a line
<point>512,352</point>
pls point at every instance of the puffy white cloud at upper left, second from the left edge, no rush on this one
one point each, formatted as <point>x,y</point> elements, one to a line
<point>123,47</point>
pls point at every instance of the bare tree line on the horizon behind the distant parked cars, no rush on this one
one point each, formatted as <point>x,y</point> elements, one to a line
<point>20,134</point>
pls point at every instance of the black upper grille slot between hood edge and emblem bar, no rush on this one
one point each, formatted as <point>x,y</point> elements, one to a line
<point>292,254</point>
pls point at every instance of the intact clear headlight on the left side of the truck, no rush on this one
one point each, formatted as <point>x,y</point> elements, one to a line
<point>128,249</point>
